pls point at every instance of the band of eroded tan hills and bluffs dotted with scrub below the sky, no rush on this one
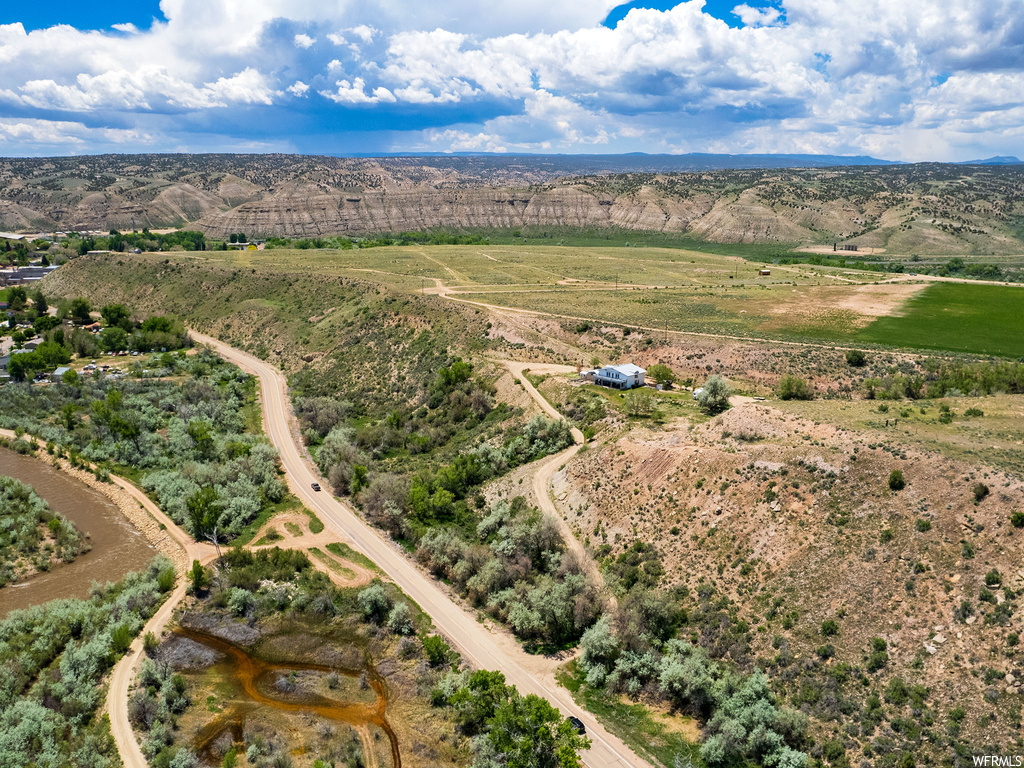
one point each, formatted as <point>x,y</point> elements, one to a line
<point>927,208</point>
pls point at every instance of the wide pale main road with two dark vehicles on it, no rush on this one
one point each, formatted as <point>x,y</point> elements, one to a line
<point>481,647</point>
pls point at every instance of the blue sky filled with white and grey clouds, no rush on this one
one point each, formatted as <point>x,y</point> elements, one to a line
<point>898,79</point>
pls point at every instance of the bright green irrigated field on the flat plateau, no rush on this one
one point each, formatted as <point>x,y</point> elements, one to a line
<point>957,317</point>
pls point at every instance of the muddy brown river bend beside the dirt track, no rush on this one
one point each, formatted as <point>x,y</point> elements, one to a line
<point>117,547</point>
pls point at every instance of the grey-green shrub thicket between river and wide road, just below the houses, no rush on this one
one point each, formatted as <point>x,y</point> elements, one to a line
<point>180,439</point>
